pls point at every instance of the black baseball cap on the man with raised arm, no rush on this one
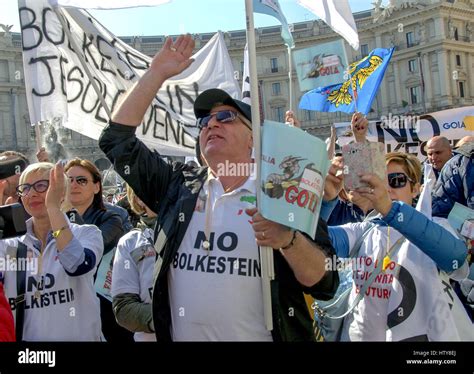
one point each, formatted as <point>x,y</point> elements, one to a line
<point>209,98</point>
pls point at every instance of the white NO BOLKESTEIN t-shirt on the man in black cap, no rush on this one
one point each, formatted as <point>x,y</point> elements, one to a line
<point>216,295</point>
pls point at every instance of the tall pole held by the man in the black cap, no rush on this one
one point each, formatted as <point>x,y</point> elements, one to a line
<point>266,253</point>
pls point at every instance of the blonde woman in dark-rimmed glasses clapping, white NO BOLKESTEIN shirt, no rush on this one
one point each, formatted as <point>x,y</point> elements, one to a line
<point>59,302</point>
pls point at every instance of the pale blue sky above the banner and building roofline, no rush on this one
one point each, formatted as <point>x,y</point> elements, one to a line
<point>182,16</point>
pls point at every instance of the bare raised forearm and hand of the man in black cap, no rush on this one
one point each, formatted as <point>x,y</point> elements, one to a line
<point>172,59</point>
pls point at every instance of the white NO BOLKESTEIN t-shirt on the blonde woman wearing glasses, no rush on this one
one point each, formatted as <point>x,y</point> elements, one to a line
<point>58,306</point>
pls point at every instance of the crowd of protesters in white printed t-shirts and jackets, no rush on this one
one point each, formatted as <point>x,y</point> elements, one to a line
<point>148,265</point>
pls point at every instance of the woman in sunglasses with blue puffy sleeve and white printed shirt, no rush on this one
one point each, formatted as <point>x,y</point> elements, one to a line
<point>398,305</point>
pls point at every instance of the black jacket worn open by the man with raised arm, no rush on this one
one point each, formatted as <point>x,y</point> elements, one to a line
<point>172,191</point>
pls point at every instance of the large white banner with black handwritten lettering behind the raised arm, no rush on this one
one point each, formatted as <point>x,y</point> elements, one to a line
<point>57,85</point>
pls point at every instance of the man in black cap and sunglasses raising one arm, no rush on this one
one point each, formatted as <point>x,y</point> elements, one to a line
<point>208,284</point>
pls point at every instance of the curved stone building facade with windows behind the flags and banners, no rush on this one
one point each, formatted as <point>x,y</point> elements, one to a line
<point>432,68</point>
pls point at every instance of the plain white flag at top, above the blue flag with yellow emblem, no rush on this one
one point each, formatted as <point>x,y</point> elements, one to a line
<point>338,15</point>
